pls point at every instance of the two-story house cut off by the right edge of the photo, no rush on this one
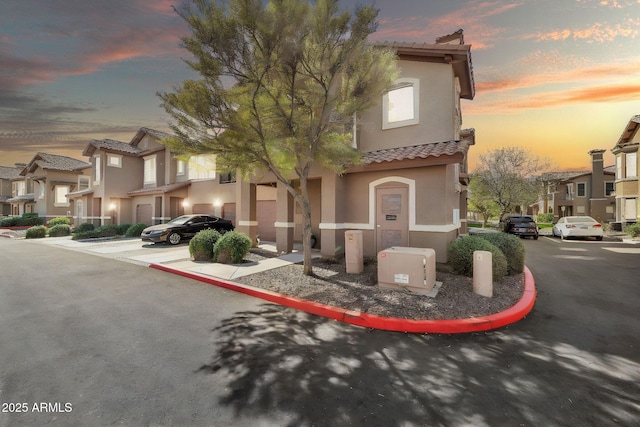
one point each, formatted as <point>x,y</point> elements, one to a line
<point>627,186</point>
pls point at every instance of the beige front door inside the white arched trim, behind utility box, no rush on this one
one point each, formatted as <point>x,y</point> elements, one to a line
<point>392,217</point>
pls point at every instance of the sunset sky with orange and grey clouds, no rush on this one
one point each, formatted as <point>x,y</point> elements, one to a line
<point>557,77</point>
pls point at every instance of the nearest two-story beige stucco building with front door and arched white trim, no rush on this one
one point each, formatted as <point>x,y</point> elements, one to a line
<point>410,189</point>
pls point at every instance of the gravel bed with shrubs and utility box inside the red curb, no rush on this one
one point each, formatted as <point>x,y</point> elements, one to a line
<point>331,285</point>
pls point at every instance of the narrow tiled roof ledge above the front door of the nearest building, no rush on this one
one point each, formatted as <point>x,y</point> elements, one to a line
<point>422,151</point>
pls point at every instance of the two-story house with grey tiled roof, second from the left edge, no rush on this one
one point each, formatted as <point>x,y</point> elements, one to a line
<point>53,177</point>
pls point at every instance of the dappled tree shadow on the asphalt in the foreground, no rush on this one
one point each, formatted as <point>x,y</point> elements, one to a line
<point>313,371</point>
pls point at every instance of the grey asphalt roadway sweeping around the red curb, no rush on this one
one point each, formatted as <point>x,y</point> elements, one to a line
<point>129,345</point>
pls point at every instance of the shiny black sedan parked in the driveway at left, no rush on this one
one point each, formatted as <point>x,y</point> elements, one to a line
<point>185,227</point>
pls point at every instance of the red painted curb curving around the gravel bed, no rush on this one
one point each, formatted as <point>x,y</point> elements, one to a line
<point>453,326</point>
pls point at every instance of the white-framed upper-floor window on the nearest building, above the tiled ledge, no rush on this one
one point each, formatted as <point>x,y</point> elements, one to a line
<point>401,105</point>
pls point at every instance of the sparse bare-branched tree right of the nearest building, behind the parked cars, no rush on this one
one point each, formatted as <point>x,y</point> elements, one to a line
<point>506,177</point>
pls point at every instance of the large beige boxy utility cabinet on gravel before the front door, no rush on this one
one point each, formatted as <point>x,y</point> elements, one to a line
<point>412,269</point>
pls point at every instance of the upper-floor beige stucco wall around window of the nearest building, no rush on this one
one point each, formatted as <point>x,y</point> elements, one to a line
<point>438,102</point>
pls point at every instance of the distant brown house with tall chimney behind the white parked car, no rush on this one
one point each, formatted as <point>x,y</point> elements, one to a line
<point>589,193</point>
